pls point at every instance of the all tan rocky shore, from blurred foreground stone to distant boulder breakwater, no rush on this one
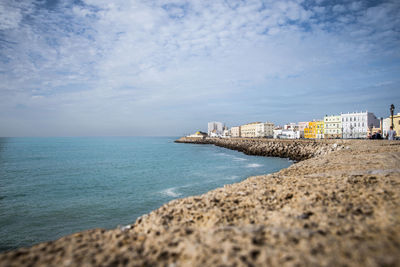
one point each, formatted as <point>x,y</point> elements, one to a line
<point>338,206</point>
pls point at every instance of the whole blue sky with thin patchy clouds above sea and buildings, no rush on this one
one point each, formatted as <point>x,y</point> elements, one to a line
<point>166,68</point>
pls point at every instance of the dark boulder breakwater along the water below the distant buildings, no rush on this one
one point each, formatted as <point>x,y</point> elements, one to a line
<point>293,149</point>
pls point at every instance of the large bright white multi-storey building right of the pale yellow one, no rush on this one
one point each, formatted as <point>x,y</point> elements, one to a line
<point>356,124</point>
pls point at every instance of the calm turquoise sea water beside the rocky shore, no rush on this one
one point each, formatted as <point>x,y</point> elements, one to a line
<point>51,187</point>
